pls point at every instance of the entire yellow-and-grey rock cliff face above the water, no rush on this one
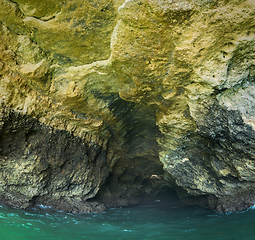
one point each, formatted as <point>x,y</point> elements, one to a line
<point>107,102</point>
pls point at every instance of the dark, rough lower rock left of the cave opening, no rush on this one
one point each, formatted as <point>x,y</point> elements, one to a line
<point>40,164</point>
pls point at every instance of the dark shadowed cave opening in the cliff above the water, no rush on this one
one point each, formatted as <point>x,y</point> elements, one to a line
<point>137,175</point>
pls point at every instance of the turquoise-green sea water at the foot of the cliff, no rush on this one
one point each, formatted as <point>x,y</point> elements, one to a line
<point>140,222</point>
